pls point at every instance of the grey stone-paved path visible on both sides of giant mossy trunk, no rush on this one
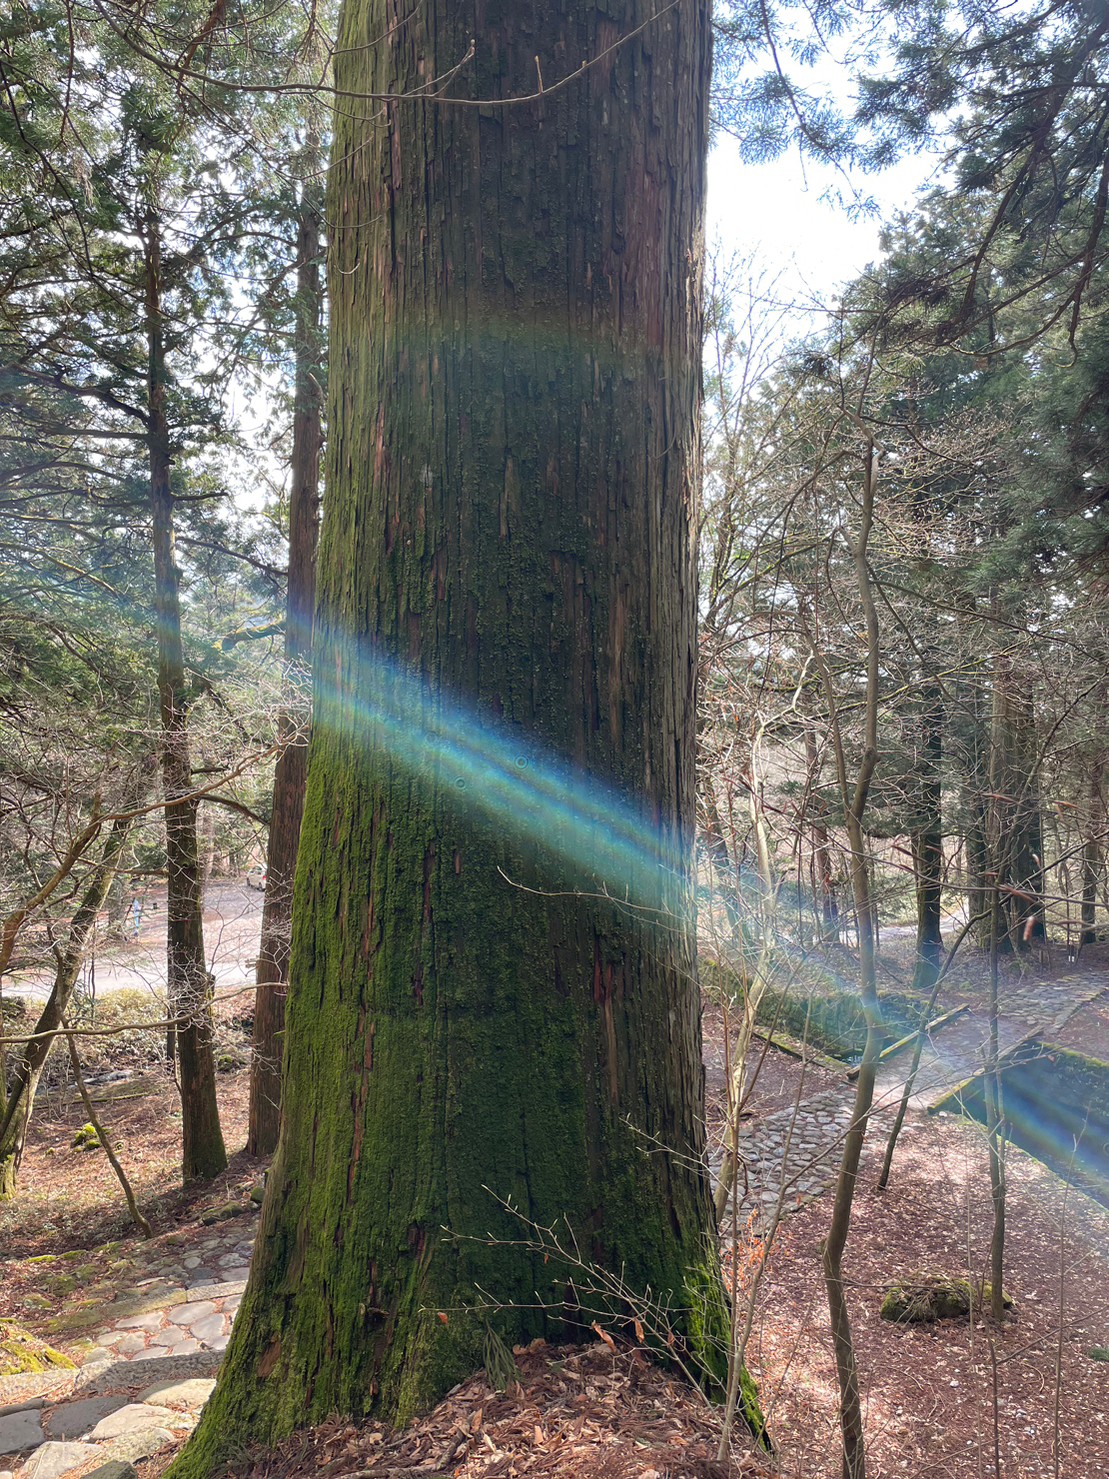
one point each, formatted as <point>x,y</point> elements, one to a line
<point>157,1344</point>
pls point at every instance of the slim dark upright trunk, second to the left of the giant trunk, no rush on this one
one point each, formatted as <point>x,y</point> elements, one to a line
<point>190,986</point>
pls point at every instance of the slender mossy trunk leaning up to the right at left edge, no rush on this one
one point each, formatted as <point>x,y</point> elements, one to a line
<point>16,1114</point>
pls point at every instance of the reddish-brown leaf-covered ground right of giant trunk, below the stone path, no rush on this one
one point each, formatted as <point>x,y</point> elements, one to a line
<point>931,1391</point>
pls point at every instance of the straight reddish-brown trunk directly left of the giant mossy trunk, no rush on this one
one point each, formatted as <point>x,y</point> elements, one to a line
<point>292,768</point>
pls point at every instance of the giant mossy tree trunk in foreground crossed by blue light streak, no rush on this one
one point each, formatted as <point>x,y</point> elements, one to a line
<point>506,573</point>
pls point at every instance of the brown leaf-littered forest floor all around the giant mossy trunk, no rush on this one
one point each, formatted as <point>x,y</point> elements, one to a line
<point>947,1400</point>
